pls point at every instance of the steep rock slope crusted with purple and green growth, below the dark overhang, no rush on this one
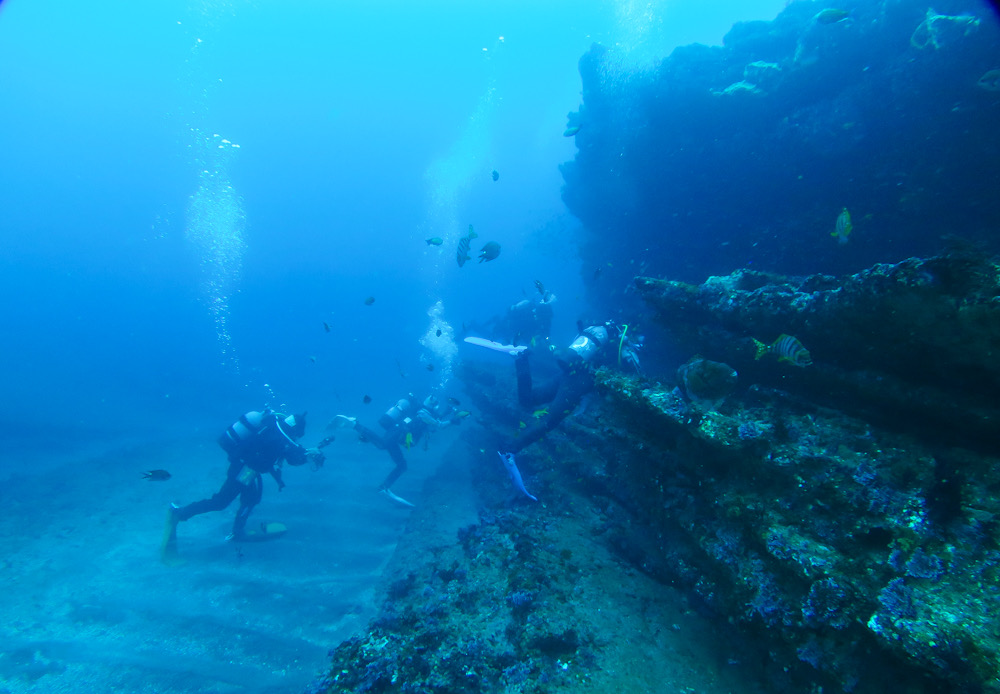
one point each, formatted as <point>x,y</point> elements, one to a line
<point>859,558</point>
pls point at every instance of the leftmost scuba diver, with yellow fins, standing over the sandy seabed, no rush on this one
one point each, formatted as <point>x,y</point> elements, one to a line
<point>256,444</point>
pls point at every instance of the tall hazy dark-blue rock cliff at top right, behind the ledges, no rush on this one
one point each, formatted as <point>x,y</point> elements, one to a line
<point>745,154</point>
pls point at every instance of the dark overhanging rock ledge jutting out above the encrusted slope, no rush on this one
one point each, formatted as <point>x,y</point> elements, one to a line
<point>911,345</point>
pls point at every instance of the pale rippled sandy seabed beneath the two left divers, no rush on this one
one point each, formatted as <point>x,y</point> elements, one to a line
<point>87,605</point>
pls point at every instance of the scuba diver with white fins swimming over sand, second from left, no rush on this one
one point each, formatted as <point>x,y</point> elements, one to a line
<point>403,428</point>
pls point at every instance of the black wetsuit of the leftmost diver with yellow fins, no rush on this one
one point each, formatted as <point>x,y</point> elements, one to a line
<point>248,460</point>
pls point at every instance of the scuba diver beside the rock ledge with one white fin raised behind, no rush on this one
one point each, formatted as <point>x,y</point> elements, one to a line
<point>597,345</point>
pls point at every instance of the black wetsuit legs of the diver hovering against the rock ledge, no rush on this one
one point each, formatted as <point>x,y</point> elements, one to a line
<point>561,395</point>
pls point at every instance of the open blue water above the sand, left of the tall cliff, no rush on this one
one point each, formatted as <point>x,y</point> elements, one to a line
<point>154,280</point>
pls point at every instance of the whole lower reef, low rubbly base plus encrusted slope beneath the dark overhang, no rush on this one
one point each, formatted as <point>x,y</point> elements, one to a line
<point>831,552</point>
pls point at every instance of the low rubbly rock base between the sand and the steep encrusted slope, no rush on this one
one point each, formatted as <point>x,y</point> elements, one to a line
<point>489,592</point>
